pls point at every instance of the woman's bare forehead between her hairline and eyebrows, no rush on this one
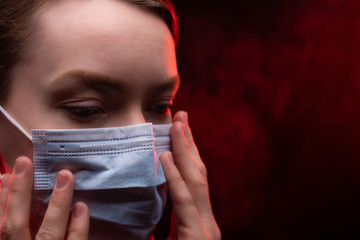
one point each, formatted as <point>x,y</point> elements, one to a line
<point>100,33</point>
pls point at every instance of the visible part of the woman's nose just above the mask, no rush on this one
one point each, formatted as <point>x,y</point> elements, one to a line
<point>130,116</point>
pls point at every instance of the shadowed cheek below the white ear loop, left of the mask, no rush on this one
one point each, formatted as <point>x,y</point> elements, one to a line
<point>13,144</point>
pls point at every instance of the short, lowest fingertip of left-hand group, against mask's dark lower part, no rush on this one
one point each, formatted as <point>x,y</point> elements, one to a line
<point>79,223</point>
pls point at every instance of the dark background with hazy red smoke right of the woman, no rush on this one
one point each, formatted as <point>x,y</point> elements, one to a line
<point>272,89</point>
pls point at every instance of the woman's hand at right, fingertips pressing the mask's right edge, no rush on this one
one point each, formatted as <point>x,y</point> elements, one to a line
<point>187,180</point>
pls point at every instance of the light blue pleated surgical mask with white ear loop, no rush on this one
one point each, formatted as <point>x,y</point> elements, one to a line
<point>117,174</point>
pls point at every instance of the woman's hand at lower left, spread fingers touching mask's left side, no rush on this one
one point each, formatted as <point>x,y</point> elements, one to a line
<point>15,200</point>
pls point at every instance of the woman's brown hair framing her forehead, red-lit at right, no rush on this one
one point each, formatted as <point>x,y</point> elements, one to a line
<point>15,30</point>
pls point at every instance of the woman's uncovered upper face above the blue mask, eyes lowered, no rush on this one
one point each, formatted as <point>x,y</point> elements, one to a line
<point>95,63</point>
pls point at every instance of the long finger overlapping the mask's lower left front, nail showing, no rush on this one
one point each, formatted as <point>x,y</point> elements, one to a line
<point>57,214</point>
